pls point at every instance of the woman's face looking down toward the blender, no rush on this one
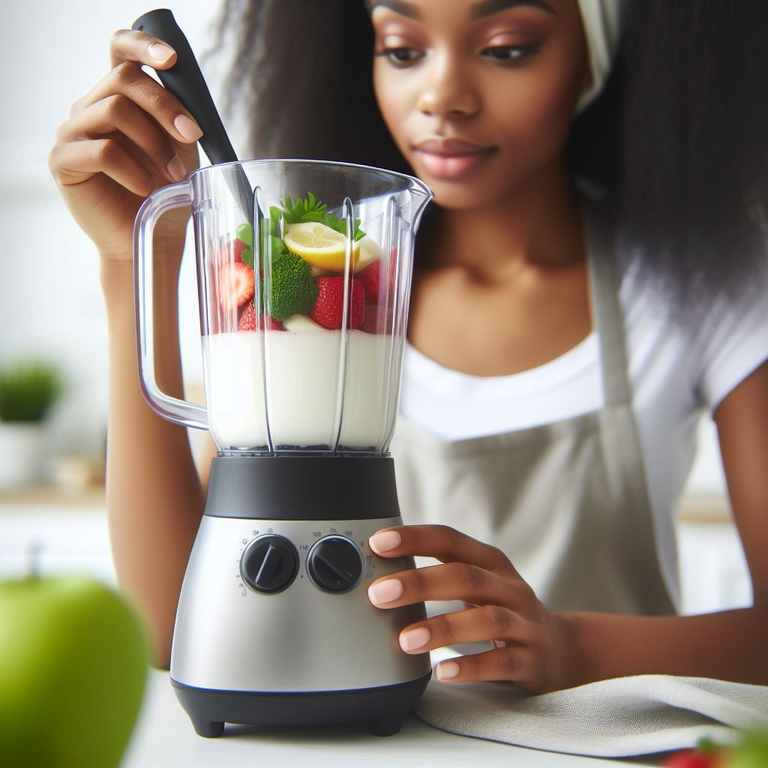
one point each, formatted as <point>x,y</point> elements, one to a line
<point>479,95</point>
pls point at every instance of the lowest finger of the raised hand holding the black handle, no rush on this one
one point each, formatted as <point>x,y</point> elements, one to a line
<point>77,162</point>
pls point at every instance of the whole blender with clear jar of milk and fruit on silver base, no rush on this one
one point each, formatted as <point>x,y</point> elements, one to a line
<point>303,310</point>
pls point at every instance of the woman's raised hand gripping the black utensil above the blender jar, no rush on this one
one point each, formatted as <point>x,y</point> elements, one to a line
<point>124,139</point>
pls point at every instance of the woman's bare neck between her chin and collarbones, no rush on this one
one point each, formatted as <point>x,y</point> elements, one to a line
<point>539,225</point>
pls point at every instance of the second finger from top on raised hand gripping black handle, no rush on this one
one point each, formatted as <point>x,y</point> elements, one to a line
<point>128,79</point>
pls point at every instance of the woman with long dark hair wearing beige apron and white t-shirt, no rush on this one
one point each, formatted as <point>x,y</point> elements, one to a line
<point>560,350</point>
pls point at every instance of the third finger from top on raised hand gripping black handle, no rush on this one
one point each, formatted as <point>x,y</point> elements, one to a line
<point>118,114</point>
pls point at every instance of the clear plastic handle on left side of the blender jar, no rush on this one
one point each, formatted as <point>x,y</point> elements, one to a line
<point>171,408</point>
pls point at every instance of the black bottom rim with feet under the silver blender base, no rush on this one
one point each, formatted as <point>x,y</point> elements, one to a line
<point>382,709</point>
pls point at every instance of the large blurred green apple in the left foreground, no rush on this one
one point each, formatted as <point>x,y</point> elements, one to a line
<point>73,666</point>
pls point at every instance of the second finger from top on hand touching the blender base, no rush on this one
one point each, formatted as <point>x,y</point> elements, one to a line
<point>452,581</point>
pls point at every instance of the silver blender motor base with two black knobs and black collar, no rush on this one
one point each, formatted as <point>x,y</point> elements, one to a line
<point>275,645</point>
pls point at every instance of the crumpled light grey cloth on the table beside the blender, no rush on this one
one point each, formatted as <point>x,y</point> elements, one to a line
<point>623,717</point>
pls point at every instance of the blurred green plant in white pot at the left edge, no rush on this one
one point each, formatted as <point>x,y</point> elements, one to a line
<point>28,390</point>
